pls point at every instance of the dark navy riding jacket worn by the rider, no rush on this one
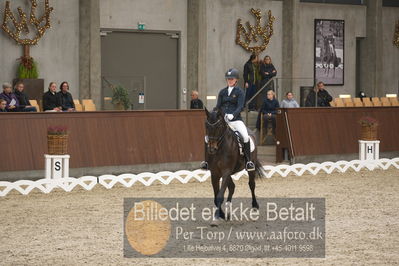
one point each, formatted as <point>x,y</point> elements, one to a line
<point>231,104</point>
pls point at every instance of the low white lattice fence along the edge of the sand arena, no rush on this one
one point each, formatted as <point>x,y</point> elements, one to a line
<point>184,176</point>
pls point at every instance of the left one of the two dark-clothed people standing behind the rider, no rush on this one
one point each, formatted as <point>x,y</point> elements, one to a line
<point>250,80</point>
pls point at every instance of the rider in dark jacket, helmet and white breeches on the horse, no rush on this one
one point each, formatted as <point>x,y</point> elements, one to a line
<point>231,102</point>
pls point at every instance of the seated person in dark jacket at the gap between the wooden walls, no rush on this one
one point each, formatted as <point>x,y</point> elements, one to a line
<point>268,111</point>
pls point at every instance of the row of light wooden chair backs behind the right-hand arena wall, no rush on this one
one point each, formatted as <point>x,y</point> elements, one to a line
<point>365,102</point>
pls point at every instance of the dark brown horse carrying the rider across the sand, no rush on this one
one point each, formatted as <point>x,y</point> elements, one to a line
<point>224,159</point>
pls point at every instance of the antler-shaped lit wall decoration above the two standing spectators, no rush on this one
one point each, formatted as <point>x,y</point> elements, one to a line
<point>257,36</point>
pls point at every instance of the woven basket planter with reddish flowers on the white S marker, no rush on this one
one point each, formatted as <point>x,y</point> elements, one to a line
<point>57,140</point>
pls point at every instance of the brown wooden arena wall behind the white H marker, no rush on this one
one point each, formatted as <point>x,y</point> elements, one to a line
<point>320,131</point>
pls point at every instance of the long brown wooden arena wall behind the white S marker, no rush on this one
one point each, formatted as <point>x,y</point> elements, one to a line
<point>104,138</point>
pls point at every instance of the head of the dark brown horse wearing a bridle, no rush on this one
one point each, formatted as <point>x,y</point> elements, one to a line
<point>215,129</point>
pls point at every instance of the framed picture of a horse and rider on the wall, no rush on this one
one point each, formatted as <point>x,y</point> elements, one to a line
<point>329,46</point>
